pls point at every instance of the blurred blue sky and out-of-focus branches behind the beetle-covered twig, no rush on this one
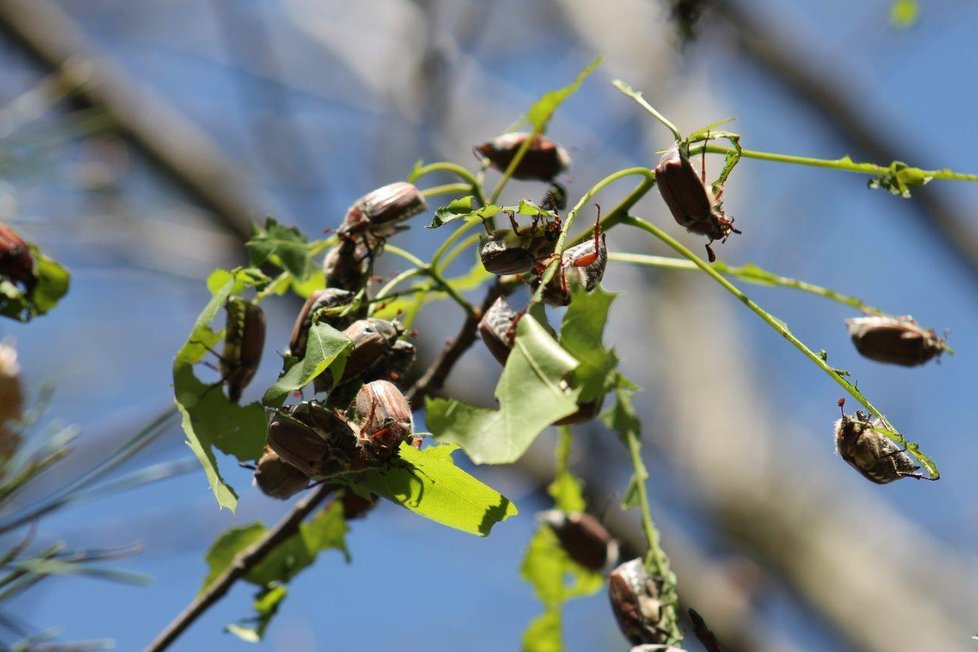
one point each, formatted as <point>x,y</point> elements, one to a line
<point>139,141</point>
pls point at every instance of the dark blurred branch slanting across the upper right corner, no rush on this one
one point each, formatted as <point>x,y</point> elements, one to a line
<point>786,63</point>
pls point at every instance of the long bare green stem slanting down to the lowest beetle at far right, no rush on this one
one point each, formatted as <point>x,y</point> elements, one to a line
<point>781,328</point>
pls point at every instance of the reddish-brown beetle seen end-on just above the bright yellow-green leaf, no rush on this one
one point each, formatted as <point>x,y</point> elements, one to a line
<point>384,420</point>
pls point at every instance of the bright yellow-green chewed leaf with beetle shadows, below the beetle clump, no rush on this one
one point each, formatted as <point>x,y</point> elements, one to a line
<point>428,483</point>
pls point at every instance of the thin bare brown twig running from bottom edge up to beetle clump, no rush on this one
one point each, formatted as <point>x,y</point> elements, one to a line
<point>242,564</point>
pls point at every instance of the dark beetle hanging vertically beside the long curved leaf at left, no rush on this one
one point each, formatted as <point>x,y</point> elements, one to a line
<point>244,341</point>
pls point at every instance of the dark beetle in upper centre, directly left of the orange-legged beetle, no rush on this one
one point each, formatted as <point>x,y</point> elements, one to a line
<point>519,249</point>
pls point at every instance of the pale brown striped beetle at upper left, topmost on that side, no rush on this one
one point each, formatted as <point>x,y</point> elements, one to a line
<point>378,213</point>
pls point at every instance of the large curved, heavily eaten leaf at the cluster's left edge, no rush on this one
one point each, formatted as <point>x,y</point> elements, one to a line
<point>209,418</point>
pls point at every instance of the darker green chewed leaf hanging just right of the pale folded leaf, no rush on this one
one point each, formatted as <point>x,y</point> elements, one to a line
<point>581,335</point>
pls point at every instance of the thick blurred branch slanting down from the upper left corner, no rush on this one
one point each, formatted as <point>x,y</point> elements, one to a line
<point>183,150</point>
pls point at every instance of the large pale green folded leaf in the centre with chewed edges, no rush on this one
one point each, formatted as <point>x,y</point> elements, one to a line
<point>532,394</point>
